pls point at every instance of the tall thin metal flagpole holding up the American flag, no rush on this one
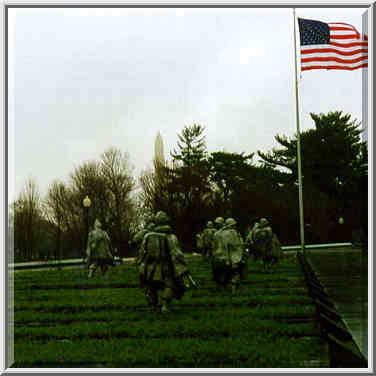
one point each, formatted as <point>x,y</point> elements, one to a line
<point>300,182</point>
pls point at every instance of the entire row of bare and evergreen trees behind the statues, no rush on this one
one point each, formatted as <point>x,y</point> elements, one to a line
<point>198,185</point>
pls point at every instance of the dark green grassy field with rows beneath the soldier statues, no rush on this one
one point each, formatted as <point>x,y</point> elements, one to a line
<point>62,319</point>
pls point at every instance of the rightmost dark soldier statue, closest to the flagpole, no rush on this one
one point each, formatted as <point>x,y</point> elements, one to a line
<point>267,244</point>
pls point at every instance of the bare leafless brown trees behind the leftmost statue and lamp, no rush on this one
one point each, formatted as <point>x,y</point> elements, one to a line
<point>56,227</point>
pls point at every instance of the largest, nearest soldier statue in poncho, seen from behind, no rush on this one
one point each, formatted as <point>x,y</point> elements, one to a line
<point>161,265</point>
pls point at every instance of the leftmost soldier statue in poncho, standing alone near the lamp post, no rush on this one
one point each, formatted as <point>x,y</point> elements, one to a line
<point>98,250</point>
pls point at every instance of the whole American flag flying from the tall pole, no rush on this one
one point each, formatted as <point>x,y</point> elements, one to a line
<point>333,45</point>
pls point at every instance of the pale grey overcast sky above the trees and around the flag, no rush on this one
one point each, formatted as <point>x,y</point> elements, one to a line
<point>83,80</point>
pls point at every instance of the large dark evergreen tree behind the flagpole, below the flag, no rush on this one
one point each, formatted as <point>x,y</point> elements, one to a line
<point>334,169</point>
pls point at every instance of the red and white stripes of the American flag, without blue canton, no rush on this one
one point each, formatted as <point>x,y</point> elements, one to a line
<point>347,49</point>
